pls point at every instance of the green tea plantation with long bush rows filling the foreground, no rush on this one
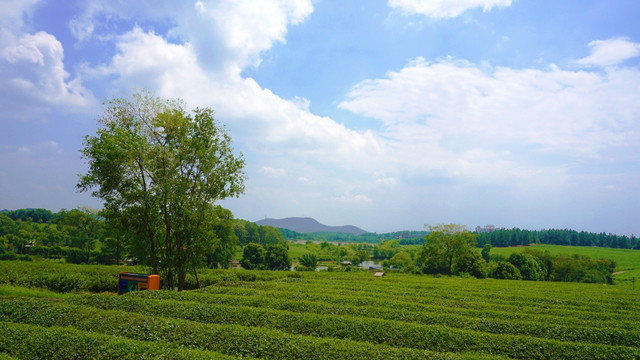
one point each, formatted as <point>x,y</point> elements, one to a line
<point>327,315</point>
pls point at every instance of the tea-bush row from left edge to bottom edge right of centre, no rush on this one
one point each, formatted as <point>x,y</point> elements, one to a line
<point>232,340</point>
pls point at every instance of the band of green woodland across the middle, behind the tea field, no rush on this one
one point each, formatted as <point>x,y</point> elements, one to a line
<point>82,236</point>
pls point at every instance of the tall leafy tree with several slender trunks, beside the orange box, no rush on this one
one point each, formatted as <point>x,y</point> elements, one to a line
<point>158,170</point>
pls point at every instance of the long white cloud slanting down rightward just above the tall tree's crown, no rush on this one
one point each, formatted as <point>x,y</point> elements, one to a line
<point>259,117</point>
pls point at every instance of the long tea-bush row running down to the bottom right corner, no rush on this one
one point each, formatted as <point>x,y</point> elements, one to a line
<point>391,333</point>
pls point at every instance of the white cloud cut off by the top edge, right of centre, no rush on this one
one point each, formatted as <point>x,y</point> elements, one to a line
<point>439,9</point>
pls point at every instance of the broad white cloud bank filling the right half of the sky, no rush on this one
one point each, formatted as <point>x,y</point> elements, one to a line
<point>455,120</point>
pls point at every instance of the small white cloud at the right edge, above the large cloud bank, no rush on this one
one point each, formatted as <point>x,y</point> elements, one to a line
<point>610,52</point>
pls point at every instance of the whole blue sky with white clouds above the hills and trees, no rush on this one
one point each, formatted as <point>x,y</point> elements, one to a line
<point>386,115</point>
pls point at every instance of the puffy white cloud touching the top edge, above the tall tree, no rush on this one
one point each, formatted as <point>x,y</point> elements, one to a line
<point>229,34</point>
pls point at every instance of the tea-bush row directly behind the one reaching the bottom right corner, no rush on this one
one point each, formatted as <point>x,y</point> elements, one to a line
<point>566,332</point>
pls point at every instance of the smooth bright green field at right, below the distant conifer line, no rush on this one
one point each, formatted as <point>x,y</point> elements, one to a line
<point>627,260</point>
